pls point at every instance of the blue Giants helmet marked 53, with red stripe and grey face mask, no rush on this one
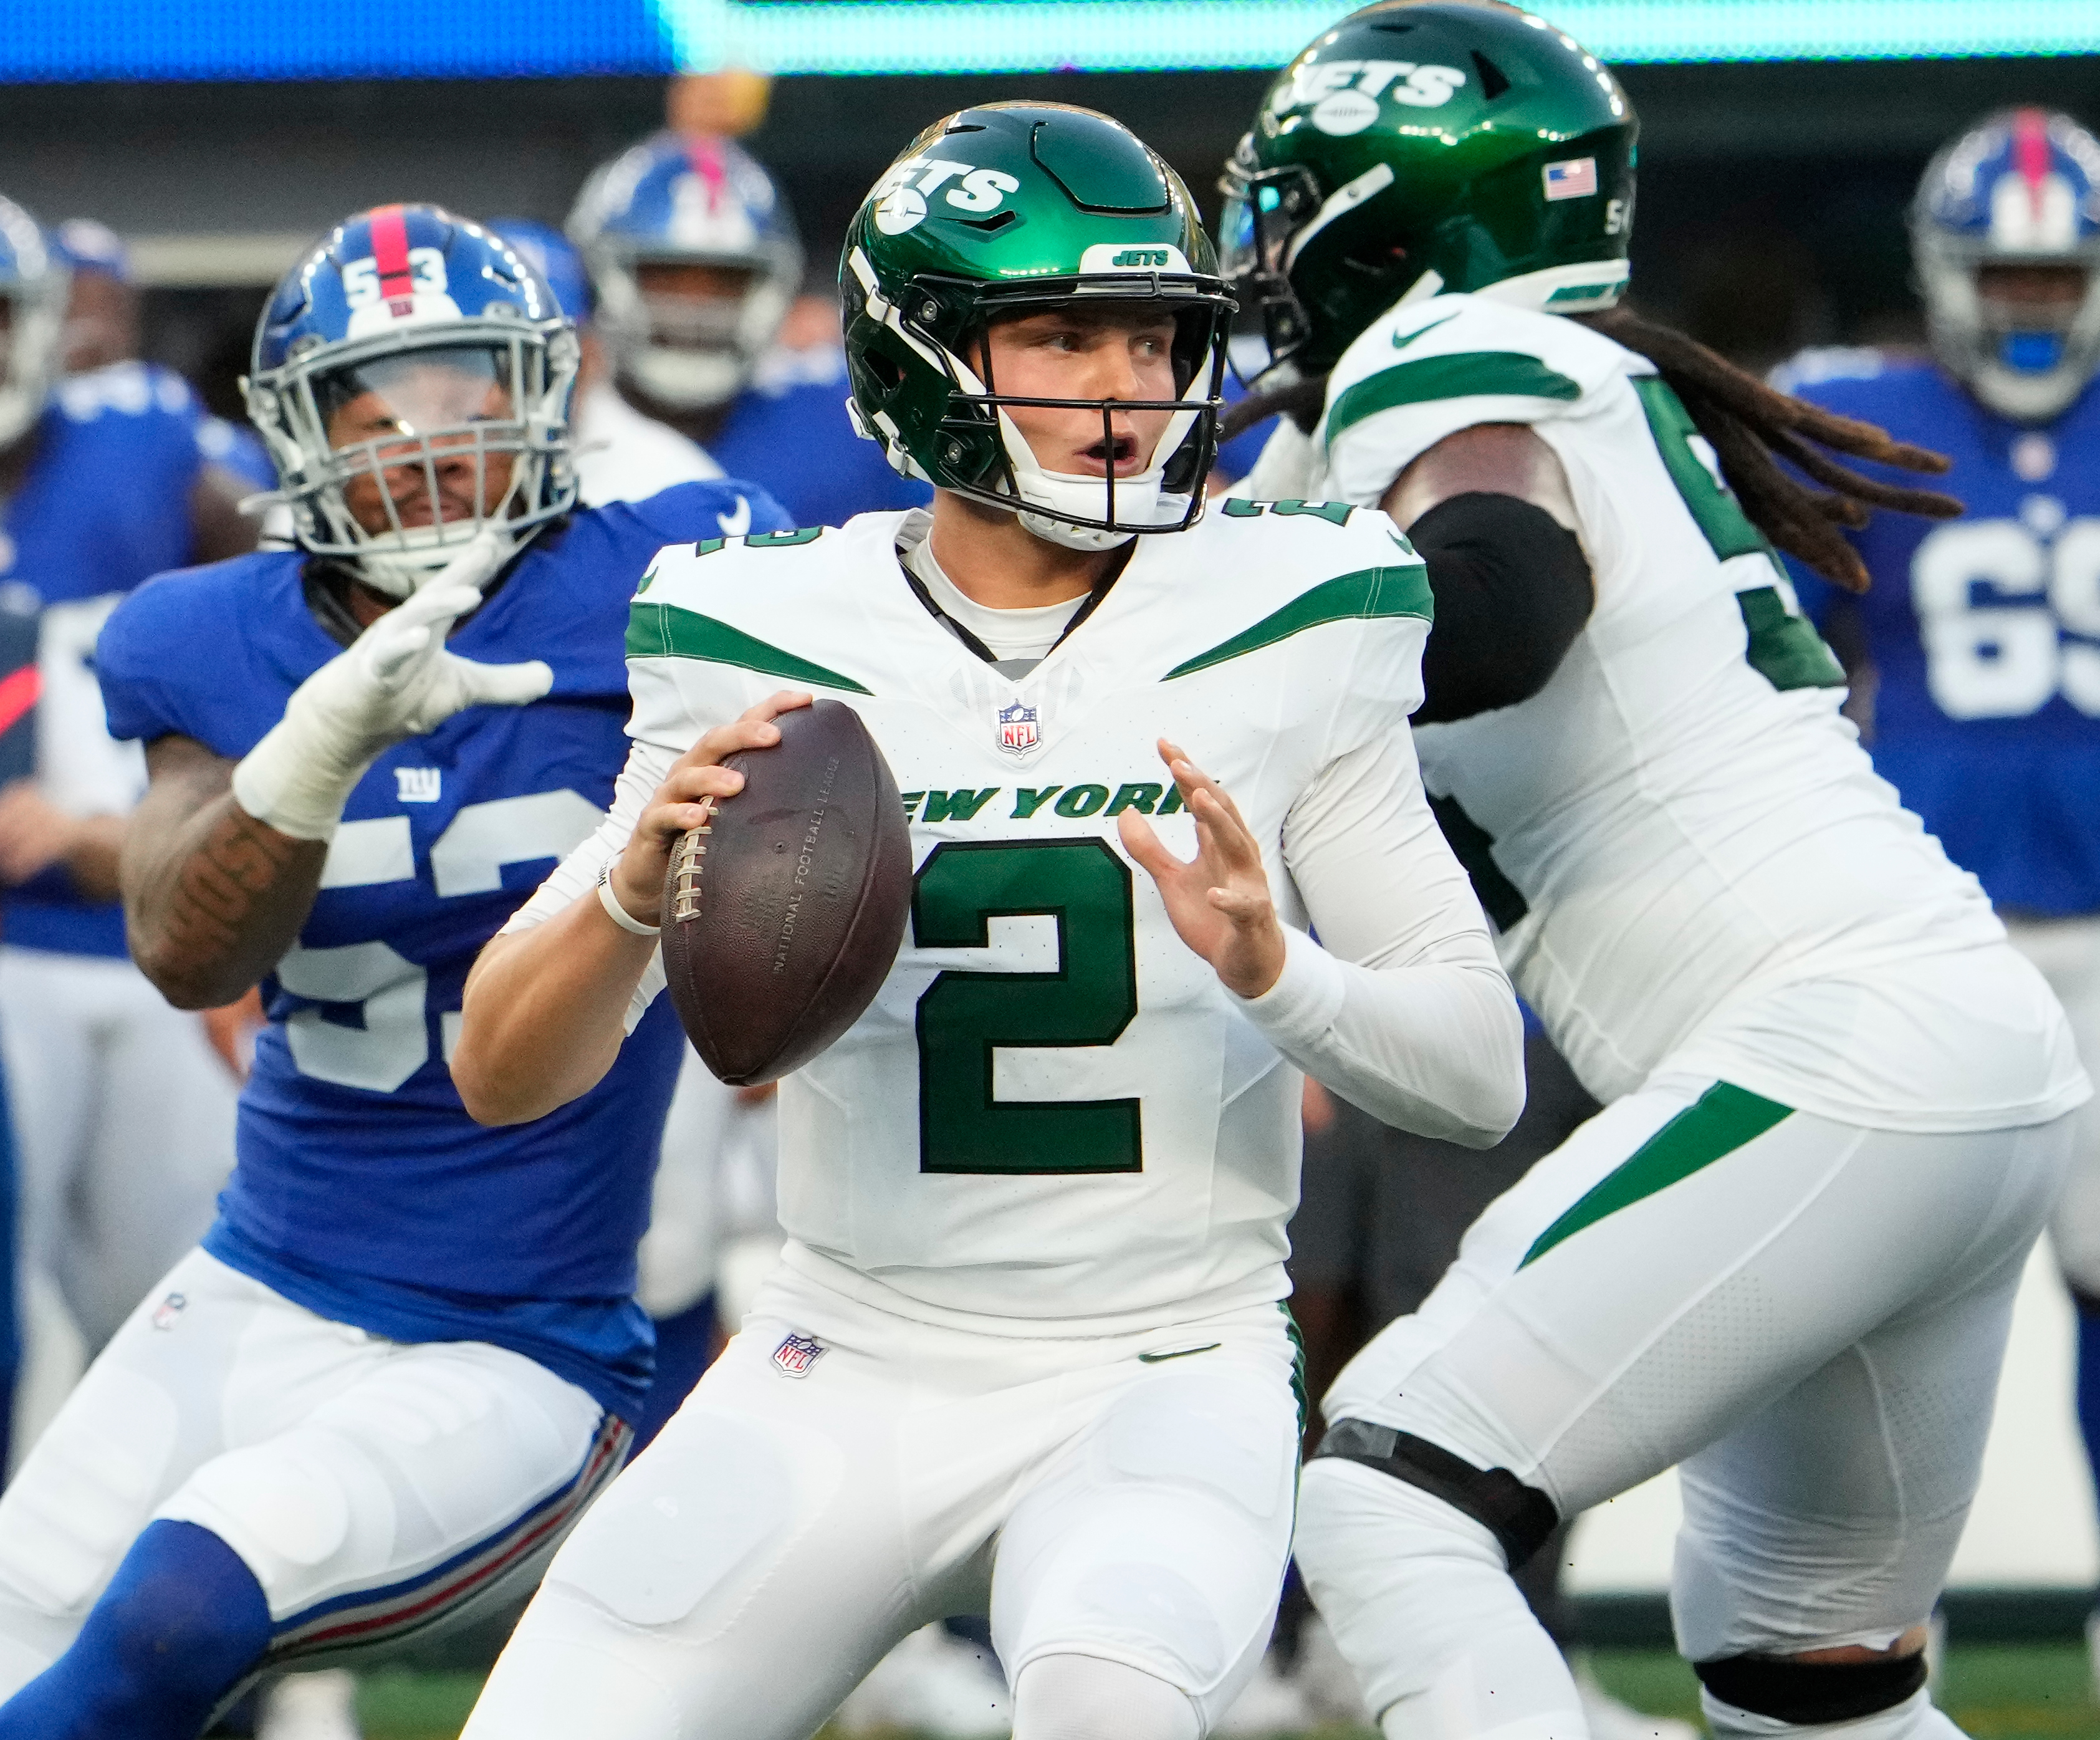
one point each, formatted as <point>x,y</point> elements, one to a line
<point>413,381</point>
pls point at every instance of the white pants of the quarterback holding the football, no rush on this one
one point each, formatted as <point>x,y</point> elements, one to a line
<point>843,1476</point>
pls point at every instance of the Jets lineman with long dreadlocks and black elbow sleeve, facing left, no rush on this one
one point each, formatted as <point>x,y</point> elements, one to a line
<point>1836,1102</point>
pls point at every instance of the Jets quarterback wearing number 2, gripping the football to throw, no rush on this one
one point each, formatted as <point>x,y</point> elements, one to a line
<point>1026,1352</point>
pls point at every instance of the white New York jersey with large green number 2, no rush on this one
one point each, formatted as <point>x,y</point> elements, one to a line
<point>1053,1111</point>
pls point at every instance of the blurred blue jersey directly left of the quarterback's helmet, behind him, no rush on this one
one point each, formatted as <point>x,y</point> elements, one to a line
<point>789,430</point>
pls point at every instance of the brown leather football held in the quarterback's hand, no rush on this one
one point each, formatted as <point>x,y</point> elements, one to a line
<point>784,915</point>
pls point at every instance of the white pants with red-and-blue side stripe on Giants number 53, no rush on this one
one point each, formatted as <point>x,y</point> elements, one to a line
<point>375,1489</point>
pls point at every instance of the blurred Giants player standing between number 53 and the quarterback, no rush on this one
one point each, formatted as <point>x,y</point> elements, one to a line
<point>696,262</point>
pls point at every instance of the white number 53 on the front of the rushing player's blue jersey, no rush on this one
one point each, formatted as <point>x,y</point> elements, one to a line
<point>375,1033</point>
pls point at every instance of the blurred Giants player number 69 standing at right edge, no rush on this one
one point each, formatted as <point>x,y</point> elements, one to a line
<point>1975,659</point>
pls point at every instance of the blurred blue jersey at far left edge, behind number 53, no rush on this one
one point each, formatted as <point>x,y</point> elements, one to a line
<point>102,507</point>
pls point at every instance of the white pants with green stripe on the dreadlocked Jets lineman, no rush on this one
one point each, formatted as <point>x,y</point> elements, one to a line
<point>1809,1321</point>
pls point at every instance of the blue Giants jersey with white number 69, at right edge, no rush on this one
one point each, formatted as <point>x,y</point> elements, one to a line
<point>1986,631</point>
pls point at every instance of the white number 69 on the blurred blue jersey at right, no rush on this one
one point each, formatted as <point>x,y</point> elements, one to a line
<point>2009,619</point>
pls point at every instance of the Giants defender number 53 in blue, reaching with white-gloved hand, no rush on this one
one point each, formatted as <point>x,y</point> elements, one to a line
<point>406,1354</point>
